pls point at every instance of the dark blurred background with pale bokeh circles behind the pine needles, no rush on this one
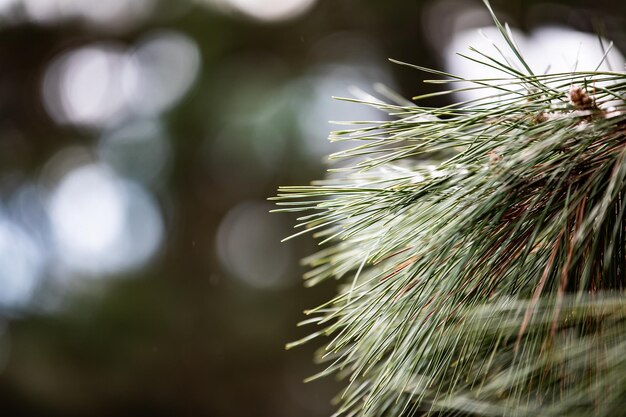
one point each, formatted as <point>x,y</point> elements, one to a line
<point>140,270</point>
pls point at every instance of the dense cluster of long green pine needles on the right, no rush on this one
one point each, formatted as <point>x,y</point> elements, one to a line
<point>480,249</point>
